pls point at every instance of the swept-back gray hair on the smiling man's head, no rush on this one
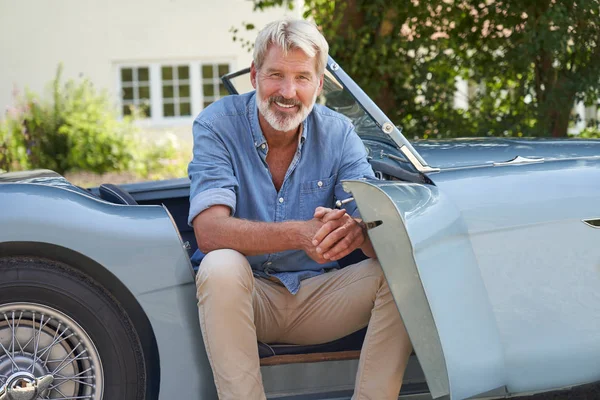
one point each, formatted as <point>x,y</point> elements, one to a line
<point>289,35</point>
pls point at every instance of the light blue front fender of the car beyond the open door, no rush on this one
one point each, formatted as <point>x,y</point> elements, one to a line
<point>540,263</point>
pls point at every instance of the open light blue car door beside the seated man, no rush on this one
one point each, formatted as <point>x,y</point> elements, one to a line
<point>425,252</point>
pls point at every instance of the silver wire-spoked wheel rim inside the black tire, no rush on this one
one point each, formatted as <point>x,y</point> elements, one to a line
<point>38,341</point>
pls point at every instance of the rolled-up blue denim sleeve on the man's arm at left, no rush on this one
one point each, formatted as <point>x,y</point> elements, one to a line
<point>210,171</point>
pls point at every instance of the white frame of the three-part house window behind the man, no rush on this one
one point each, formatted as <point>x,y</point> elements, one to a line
<point>196,82</point>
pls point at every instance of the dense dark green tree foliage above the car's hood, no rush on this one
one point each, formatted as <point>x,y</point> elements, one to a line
<point>527,61</point>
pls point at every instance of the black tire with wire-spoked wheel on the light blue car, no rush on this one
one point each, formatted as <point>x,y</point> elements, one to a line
<point>101,353</point>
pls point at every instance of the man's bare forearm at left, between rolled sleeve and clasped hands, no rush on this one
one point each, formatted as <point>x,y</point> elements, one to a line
<point>249,237</point>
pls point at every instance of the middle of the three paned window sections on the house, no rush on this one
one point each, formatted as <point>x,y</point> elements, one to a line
<point>176,91</point>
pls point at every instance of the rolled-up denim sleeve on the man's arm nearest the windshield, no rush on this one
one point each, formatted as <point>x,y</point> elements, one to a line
<point>354,165</point>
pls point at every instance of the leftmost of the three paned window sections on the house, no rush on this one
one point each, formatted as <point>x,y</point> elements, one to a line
<point>135,90</point>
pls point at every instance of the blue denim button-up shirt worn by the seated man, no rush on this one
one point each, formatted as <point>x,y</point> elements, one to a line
<point>229,168</point>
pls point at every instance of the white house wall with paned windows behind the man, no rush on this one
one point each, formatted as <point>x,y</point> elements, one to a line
<point>165,56</point>
